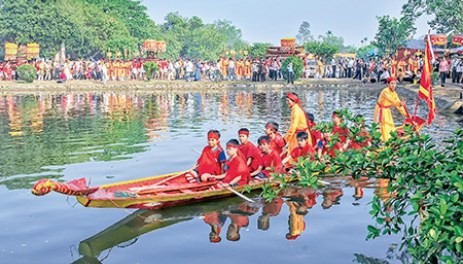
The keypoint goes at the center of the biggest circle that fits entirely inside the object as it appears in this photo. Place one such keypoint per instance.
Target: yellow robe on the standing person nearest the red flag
(383, 114)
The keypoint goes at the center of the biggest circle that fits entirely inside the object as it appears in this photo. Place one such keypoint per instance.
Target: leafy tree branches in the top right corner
(448, 14)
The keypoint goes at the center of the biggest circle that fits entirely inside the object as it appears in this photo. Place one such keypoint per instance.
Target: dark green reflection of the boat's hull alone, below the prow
(142, 222)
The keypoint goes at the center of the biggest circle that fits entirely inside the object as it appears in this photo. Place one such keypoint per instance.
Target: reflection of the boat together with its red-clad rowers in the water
(225, 218)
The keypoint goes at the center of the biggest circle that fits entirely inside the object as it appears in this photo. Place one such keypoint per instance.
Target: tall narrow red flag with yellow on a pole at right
(425, 92)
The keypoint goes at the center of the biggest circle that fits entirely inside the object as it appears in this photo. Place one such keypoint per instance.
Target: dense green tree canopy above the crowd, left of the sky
(93, 27)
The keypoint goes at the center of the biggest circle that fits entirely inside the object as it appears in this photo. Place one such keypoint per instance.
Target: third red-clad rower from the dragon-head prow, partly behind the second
(250, 152)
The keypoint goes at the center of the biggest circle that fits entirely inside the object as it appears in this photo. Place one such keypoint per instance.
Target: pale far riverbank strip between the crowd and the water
(448, 99)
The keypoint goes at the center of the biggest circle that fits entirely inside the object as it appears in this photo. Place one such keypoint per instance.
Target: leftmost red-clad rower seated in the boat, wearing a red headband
(211, 160)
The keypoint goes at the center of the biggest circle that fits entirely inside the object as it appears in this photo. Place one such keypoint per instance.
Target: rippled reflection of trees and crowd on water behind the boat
(41, 134)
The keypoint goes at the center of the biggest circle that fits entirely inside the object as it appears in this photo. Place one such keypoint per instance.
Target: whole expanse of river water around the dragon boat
(108, 137)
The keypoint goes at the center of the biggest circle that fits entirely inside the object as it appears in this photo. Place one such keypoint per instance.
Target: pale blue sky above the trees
(271, 20)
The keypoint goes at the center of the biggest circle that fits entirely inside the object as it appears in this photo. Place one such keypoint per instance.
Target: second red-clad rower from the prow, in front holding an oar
(237, 170)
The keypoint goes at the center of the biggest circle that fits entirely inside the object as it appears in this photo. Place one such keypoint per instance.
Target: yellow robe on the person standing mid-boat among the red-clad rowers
(298, 124)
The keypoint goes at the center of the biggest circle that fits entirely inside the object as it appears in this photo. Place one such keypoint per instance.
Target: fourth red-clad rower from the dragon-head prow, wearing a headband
(271, 161)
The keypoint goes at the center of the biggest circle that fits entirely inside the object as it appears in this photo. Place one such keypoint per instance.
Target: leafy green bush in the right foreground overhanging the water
(424, 198)
